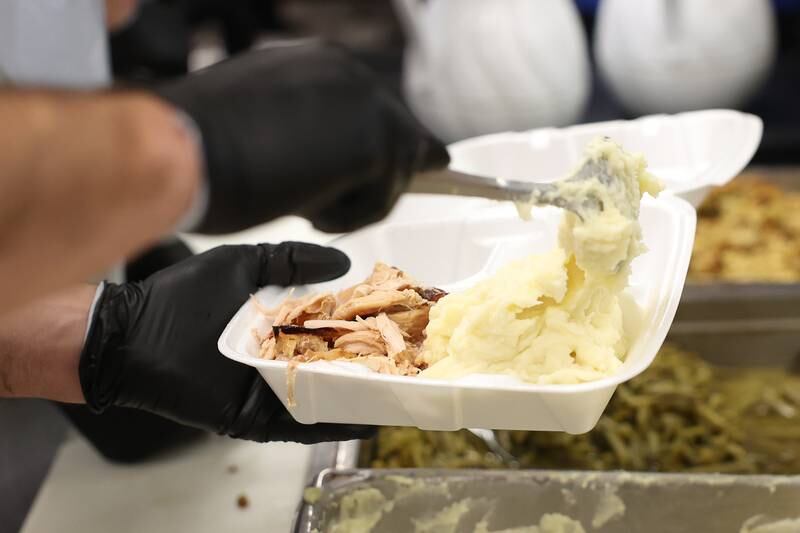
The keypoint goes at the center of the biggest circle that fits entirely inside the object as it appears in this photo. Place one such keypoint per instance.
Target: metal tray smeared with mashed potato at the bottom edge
(607, 502)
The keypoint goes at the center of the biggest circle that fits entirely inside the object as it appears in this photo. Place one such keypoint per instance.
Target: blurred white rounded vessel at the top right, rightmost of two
(680, 55)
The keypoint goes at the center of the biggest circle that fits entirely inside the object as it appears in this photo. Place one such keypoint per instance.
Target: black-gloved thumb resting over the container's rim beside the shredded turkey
(299, 263)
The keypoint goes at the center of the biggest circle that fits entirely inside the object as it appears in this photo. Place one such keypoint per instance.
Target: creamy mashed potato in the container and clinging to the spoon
(553, 317)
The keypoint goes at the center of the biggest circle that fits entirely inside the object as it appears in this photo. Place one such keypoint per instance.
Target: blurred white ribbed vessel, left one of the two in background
(474, 67)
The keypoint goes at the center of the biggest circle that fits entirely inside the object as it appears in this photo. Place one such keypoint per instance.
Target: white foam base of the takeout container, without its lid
(452, 252)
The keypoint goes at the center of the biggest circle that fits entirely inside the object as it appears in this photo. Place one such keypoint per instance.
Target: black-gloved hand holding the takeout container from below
(152, 345)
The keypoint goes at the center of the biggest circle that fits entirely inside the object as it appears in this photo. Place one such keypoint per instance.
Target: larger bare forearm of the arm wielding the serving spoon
(86, 179)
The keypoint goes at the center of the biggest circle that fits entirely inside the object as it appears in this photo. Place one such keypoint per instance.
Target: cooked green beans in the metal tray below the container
(682, 414)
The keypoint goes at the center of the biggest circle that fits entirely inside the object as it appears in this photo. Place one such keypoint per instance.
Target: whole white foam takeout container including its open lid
(453, 242)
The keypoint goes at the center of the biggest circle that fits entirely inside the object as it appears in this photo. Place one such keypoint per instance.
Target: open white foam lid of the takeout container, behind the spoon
(690, 152)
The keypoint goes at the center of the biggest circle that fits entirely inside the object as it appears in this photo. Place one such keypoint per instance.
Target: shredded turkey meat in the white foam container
(379, 323)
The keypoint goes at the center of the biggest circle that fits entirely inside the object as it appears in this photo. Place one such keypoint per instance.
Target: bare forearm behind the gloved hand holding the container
(40, 346)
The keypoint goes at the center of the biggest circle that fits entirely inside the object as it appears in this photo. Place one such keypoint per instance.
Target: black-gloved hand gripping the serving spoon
(305, 129)
